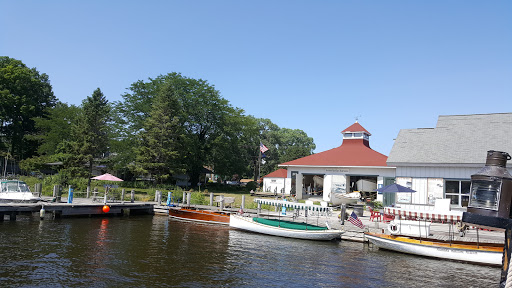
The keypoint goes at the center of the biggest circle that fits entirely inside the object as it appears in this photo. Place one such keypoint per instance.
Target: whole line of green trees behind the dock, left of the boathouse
(166, 126)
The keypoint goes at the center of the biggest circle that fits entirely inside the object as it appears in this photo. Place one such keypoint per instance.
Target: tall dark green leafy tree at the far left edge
(24, 94)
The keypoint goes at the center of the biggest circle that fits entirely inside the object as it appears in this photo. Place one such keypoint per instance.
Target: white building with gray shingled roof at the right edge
(438, 162)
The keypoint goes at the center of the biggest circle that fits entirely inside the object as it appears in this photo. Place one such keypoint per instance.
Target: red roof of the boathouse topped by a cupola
(353, 152)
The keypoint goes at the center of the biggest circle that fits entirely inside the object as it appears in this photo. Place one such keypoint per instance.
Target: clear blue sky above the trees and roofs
(309, 65)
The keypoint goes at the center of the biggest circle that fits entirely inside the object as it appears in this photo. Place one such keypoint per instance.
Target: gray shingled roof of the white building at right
(457, 139)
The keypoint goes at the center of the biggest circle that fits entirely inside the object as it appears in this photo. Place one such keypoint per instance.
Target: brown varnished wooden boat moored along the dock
(205, 216)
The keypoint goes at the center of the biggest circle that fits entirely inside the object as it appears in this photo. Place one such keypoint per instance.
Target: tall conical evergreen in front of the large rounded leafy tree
(160, 153)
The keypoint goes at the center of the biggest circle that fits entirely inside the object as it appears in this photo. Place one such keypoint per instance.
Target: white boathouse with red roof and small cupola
(353, 166)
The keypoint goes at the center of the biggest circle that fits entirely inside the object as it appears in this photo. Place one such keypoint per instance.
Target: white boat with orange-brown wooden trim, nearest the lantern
(481, 253)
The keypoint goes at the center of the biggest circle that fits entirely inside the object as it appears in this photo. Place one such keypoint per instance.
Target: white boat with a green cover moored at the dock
(283, 228)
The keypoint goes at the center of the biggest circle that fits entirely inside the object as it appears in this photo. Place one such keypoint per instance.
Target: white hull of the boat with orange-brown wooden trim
(466, 255)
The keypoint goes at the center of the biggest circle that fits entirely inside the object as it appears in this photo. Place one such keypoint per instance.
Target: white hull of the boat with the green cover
(248, 224)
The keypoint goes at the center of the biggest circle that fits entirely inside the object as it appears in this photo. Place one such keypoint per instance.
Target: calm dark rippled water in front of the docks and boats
(155, 251)
